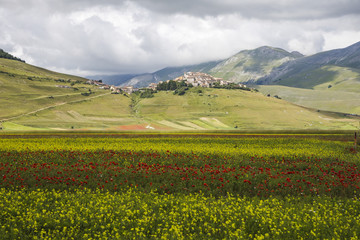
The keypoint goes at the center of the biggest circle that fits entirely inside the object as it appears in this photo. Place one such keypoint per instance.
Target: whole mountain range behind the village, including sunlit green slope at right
(328, 80)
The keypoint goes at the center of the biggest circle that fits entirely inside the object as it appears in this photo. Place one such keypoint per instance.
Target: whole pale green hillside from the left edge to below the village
(36, 99)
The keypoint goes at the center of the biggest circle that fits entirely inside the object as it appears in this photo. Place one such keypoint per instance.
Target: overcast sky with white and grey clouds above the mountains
(87, 37)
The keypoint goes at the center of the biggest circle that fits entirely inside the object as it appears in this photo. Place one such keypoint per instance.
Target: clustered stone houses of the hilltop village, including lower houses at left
(194, 79)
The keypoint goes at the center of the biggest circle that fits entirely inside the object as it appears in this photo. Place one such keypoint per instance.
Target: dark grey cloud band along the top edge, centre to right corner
(262, 9)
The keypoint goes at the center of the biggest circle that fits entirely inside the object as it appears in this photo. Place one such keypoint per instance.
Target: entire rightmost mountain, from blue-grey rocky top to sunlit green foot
(328, 80)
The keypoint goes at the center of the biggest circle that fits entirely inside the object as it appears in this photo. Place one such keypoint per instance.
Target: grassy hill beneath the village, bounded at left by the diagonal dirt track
(211, 109)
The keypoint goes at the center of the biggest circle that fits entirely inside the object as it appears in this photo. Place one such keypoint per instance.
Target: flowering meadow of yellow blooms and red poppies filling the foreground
(179, 186)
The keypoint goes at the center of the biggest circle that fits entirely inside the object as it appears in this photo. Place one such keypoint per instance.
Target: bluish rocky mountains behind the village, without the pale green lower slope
(262, 66)
